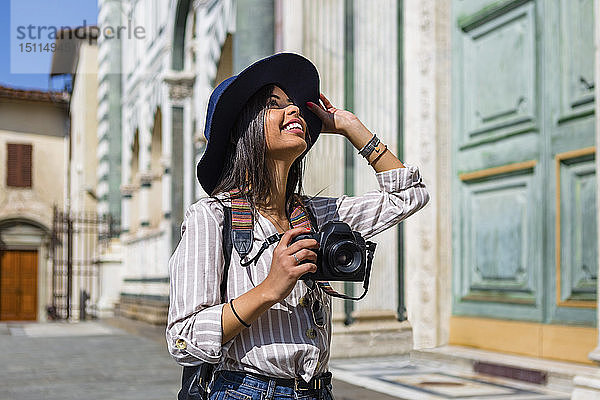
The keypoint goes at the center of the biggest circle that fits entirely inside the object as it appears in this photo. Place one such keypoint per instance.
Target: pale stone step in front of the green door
(558, 374)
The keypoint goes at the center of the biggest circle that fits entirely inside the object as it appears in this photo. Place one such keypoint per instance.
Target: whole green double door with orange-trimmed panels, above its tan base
(524, 186)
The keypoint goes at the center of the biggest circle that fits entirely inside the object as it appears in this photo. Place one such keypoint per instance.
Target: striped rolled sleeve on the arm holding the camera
(194, 330)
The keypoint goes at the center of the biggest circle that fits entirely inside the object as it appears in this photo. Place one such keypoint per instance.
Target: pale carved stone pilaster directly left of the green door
(427, 135)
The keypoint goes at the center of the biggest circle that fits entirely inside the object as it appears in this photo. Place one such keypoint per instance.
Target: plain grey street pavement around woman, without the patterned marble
(116, 359)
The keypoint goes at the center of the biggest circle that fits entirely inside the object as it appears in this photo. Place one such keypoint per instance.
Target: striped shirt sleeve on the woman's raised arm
(401, 193)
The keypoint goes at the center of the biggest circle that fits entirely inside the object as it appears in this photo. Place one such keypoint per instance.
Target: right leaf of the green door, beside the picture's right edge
(571, 176)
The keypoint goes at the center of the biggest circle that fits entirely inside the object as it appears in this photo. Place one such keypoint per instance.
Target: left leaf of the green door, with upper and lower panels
(497, 221)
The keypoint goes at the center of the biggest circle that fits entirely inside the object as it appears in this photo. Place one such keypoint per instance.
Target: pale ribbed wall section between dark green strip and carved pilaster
(376, 104)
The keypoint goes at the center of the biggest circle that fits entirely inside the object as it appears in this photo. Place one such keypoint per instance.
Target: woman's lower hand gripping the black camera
(285, 270)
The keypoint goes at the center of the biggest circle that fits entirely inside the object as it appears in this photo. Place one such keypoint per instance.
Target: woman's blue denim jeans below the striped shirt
(230, 385)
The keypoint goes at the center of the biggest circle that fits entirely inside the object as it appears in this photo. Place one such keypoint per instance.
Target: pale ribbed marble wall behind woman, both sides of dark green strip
(376, 104)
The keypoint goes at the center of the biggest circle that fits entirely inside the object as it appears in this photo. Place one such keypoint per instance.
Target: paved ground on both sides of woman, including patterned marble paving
(122, 359)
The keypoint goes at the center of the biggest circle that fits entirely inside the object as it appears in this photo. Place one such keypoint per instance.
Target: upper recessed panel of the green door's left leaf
(498, 58)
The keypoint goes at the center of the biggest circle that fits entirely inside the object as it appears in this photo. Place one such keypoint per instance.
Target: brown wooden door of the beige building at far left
(18, 285)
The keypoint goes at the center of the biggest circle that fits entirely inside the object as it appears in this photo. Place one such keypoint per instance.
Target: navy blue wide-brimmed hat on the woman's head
(293, 73)
